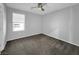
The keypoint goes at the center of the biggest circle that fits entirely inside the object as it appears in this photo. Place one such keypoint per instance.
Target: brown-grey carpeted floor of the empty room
(39, 45)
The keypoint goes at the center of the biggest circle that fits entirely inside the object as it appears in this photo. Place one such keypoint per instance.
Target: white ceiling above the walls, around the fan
(50, 7)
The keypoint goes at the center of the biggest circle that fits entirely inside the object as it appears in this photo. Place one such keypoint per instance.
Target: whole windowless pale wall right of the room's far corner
(63, 24)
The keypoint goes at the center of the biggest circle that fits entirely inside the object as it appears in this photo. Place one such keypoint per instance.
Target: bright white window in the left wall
(18, 22)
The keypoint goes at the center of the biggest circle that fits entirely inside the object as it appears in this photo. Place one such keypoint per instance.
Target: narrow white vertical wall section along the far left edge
(2, 27)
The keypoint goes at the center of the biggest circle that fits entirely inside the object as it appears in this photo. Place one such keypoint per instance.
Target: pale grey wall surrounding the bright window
(32, 24)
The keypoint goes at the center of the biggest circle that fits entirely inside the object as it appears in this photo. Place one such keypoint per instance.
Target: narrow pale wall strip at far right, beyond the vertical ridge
(75, 26)
